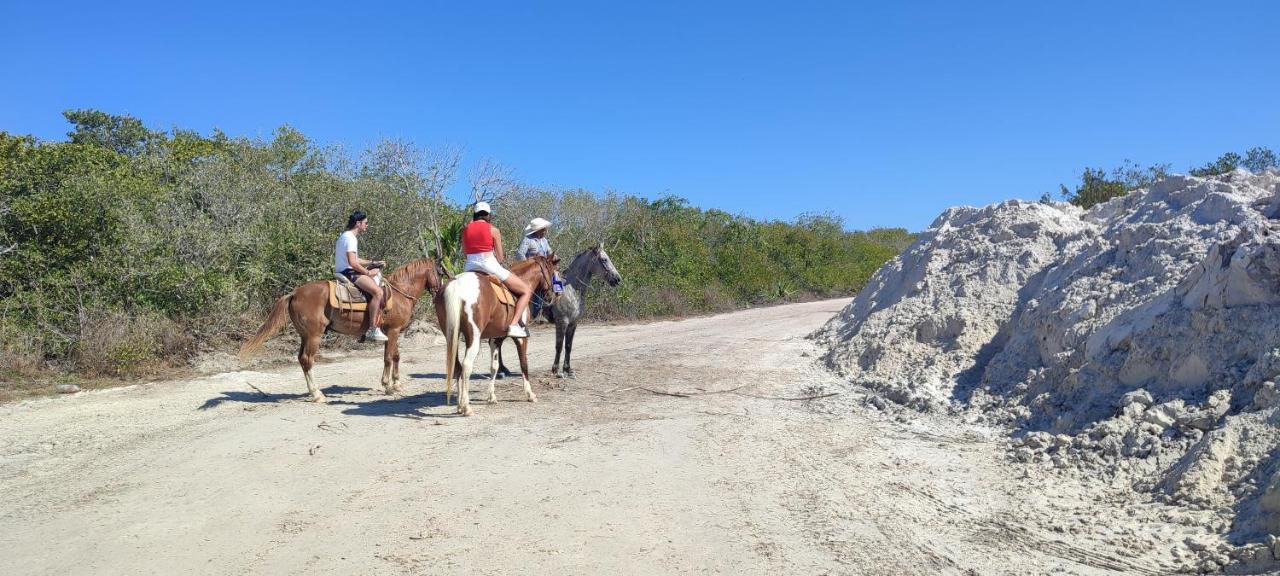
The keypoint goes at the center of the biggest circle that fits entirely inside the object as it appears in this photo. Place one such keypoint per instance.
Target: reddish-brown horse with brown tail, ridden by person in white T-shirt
(309, 309)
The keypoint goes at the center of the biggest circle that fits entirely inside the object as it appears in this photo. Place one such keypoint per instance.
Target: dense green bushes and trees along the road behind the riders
(125, 250)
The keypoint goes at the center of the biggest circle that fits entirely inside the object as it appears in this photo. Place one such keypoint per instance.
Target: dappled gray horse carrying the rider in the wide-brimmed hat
(566, 310)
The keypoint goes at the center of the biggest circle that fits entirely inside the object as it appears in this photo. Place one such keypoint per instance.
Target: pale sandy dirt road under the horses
(601, 477)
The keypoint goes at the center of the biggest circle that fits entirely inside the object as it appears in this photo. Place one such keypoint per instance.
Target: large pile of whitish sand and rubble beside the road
(1141, 337)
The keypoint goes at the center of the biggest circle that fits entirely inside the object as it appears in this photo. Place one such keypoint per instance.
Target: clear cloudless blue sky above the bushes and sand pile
(883, 113)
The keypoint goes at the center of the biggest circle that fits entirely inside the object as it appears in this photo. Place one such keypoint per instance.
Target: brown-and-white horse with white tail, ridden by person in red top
(469, 308)
